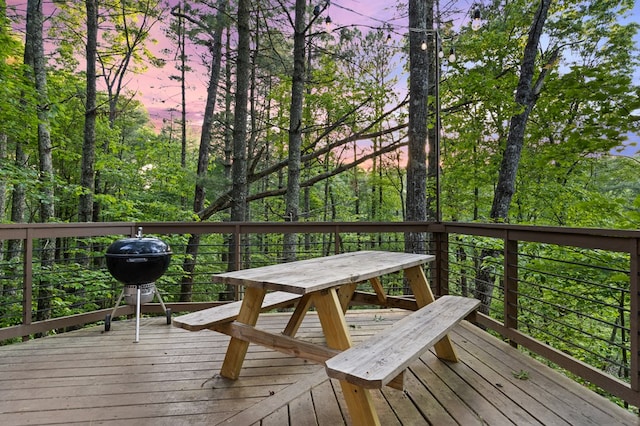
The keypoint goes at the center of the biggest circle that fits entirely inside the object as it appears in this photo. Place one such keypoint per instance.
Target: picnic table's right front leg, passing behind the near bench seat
(336, 331)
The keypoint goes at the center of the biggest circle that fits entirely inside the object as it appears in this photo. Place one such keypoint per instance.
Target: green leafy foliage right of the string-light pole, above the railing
(581, 116)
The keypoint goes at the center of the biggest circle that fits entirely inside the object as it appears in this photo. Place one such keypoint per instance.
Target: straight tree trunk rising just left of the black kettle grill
(87, 178)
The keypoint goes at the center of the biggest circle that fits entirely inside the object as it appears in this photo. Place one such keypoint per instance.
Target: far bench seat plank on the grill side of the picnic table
(207, 318)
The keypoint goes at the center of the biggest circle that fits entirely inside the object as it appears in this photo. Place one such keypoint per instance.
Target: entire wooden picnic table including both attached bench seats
(329, 284)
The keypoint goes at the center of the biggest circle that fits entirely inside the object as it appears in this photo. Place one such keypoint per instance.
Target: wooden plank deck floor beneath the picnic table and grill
(170, 378)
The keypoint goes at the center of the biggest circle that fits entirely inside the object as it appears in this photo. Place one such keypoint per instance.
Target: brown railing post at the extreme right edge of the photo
(634, 312)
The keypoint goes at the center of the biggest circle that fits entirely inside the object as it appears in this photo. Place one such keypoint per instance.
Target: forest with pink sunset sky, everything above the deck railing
(352, 117)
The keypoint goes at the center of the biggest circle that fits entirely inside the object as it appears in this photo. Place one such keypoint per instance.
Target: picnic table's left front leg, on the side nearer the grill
(237, 349)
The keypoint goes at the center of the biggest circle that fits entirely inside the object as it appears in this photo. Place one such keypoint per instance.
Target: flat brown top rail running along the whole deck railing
(608, 239)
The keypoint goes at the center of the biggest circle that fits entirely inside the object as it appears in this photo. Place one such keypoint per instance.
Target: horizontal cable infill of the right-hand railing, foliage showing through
(575, 305)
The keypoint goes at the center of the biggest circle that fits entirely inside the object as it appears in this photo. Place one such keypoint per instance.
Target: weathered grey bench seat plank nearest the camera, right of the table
(375, 362)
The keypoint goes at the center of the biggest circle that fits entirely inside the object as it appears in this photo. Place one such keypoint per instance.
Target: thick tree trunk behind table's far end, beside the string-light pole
(419, 13)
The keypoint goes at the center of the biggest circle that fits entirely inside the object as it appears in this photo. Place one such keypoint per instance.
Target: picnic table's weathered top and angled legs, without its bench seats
(328, 283)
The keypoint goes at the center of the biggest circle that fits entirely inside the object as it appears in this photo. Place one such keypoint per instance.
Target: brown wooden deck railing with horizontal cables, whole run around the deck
(538, 284)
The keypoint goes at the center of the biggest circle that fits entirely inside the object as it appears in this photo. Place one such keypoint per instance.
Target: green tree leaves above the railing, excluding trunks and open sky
(566, 176)
